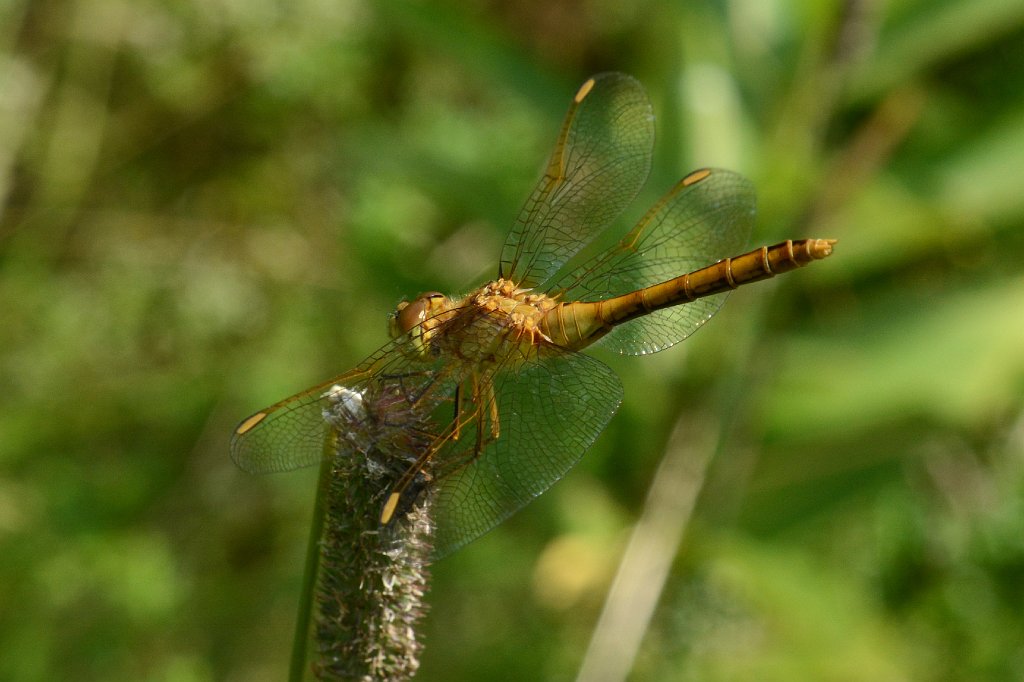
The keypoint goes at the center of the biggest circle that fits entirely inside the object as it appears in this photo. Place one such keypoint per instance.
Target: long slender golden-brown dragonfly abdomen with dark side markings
(577, 325)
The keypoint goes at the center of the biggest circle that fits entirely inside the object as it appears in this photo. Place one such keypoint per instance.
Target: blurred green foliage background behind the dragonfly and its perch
(208, 205)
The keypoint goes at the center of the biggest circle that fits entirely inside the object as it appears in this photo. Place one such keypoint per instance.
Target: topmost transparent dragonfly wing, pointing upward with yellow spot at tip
(601, 162)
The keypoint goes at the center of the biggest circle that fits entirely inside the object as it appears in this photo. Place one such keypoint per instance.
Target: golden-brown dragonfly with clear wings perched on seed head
(481, 403)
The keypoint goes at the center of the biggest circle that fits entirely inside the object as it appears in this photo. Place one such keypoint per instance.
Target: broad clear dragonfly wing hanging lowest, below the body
(551, 411)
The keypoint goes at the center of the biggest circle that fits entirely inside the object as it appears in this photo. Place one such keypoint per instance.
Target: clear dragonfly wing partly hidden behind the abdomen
(708, 217)
